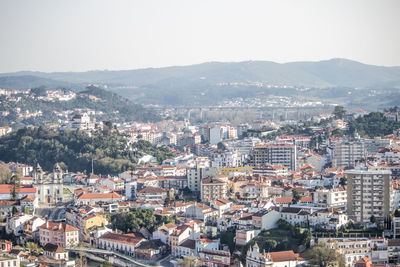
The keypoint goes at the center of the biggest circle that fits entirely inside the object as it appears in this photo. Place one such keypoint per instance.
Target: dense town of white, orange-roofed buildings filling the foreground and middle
(231, 195)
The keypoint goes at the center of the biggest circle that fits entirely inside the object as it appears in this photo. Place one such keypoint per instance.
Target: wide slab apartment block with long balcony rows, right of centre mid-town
(275, 154)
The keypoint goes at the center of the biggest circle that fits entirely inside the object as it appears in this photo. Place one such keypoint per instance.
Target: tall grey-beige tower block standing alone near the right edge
(369, 192)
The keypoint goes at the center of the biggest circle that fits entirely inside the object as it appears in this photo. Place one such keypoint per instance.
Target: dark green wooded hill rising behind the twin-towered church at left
(75, 150)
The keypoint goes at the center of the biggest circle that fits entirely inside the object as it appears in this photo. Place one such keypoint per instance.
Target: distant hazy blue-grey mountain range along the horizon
(160, 85)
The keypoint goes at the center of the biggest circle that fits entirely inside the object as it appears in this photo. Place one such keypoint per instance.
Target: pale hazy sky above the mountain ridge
(82, 35)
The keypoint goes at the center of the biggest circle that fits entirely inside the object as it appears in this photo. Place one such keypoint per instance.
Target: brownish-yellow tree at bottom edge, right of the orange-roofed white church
(323, 256)
